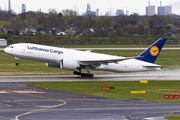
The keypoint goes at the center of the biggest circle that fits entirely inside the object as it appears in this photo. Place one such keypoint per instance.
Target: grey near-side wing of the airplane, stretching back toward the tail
(98, 62)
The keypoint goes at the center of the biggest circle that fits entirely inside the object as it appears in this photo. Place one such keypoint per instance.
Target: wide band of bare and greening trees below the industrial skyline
(114, 28)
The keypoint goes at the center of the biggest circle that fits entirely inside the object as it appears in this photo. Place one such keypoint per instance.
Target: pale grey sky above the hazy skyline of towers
(134, 6)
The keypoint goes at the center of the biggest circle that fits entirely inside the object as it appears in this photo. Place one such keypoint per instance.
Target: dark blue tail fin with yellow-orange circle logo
(151, 54)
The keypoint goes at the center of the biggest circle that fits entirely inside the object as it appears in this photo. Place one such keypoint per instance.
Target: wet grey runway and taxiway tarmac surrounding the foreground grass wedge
(16, 103)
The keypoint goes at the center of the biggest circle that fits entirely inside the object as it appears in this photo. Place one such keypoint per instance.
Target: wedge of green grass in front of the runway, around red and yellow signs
(154, 89)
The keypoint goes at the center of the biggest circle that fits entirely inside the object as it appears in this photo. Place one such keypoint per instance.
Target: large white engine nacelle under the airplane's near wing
(69, 64)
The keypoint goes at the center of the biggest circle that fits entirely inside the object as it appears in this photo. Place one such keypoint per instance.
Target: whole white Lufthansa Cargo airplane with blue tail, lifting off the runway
(73, 59)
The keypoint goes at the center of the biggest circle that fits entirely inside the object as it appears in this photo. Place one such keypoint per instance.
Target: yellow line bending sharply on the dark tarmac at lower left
(41, 110)
